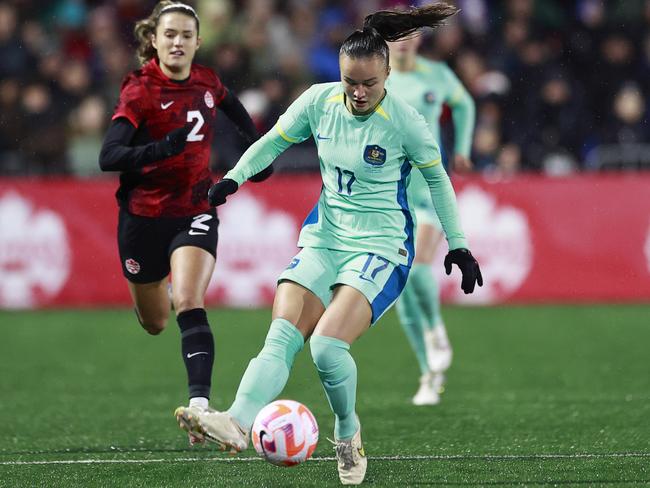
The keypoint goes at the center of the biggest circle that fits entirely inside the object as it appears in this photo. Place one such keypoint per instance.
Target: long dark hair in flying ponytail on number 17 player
(393, 25)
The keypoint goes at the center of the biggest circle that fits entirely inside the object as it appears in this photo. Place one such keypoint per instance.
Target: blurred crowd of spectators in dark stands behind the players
(560, 86)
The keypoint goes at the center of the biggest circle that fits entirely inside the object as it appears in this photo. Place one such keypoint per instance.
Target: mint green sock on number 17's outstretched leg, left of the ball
(267, 373)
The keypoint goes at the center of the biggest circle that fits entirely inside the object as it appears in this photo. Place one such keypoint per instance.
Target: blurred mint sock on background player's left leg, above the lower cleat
(412, 320)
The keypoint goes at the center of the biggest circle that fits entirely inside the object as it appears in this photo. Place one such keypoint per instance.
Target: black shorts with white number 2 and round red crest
(146, 243)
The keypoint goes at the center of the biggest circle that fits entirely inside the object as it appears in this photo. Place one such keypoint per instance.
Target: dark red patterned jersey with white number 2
(155, 104)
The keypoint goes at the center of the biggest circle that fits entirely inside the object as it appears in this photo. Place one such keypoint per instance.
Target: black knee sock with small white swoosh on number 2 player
(197, 346)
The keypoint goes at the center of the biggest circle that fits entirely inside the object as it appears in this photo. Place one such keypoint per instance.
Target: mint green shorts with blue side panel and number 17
(321, 270)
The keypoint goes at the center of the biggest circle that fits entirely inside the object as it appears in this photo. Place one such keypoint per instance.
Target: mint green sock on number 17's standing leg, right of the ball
(338, 374)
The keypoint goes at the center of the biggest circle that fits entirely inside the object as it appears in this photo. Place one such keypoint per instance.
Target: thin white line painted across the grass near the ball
(456, 457)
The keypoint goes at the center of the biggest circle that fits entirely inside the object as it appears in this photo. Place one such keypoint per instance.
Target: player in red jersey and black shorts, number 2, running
(160, 139)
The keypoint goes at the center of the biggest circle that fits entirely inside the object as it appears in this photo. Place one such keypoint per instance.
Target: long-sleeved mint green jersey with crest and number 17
(365, 163)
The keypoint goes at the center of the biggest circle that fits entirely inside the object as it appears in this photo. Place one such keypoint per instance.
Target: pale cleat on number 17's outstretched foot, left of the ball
(213, 426)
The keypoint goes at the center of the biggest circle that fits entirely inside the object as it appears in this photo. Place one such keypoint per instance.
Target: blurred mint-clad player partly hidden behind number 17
(426, 85)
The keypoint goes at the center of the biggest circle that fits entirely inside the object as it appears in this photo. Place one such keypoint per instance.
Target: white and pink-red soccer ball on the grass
(285, 433)
